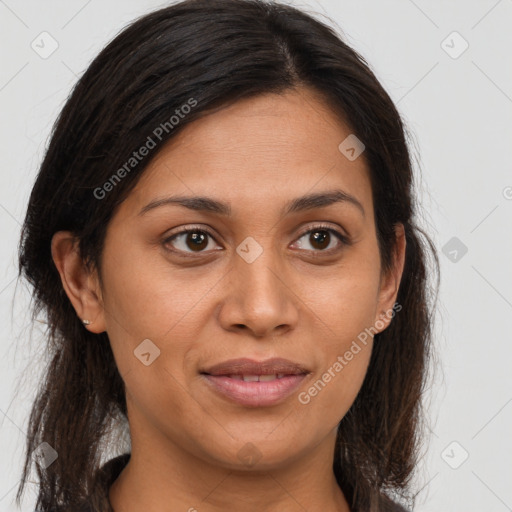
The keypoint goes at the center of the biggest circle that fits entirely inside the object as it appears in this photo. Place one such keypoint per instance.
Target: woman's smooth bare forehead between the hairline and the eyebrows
(270, 147)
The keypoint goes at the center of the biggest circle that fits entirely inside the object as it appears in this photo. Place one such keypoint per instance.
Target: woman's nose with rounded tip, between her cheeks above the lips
(258, 297)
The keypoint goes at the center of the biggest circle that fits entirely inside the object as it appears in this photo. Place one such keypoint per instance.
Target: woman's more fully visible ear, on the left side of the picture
(80, 284)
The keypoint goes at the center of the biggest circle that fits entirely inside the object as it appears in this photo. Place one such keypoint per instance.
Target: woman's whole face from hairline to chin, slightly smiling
(262, 273)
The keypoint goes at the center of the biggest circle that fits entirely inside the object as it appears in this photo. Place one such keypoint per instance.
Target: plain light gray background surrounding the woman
(458, 106)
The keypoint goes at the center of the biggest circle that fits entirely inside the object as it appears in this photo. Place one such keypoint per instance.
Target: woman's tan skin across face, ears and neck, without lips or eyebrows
(295, 301)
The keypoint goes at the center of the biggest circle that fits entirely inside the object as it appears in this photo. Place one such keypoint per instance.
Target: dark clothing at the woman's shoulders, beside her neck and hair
(98, 501)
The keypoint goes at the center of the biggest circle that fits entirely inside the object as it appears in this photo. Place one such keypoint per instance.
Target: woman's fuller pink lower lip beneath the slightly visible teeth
(255, 394)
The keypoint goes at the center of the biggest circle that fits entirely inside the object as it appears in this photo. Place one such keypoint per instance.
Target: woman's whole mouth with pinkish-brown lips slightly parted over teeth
(255, 383)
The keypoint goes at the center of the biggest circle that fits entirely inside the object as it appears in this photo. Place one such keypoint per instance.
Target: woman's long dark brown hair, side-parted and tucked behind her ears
(217, 52)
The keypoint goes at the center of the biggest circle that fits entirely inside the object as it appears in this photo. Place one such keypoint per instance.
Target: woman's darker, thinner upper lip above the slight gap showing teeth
(245, 366)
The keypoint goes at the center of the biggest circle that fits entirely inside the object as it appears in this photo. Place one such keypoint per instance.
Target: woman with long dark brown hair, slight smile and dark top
(222, 238)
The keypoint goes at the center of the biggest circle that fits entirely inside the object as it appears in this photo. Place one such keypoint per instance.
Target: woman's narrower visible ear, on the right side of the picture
(390, 282)
